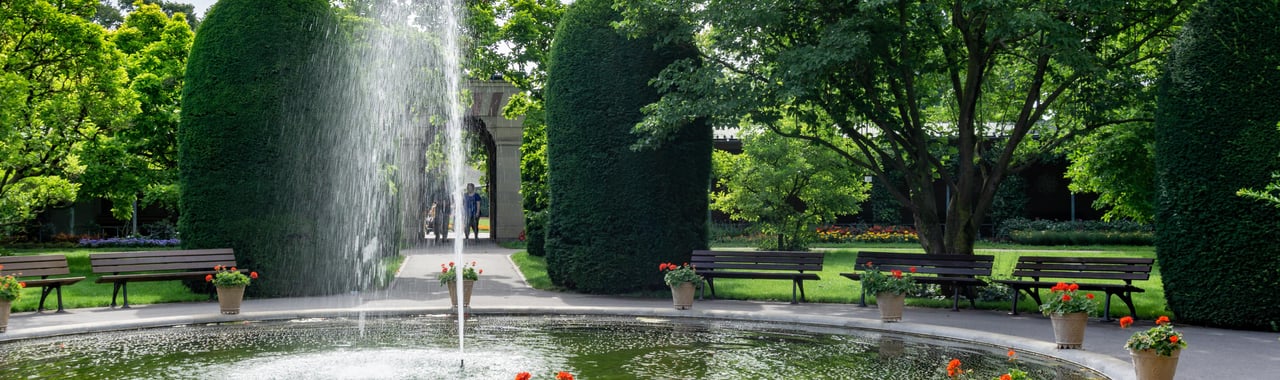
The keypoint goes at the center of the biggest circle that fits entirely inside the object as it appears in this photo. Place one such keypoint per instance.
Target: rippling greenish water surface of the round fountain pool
(500, 347)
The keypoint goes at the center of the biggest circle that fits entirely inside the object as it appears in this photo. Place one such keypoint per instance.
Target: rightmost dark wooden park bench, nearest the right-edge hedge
(1118, 273)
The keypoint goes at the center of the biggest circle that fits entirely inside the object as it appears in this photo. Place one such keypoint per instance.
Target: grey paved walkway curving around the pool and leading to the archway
(1214, 354)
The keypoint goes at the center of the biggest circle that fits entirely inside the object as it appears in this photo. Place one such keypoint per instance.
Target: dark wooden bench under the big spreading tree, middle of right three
(956, 271)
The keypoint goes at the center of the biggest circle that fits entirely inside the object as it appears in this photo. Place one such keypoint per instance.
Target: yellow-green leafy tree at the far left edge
(62, 84)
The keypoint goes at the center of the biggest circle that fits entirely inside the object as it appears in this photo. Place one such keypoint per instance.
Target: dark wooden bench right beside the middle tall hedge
(769, 265)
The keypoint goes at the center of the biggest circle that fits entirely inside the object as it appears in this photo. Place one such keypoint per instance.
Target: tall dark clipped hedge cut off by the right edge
(1217, 120)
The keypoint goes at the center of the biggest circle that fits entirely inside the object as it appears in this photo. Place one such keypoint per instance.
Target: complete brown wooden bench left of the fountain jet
(124, 268)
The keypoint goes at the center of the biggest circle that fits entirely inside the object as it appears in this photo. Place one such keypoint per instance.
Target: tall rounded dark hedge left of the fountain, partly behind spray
(239, 150)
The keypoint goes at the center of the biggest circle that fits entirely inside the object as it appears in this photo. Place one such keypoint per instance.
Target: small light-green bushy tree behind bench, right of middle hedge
(787, 187)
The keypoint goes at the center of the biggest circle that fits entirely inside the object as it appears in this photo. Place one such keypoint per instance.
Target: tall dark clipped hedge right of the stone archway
(616, 213)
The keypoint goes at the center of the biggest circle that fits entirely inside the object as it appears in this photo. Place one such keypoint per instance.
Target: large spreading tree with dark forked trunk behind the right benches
(958, 94)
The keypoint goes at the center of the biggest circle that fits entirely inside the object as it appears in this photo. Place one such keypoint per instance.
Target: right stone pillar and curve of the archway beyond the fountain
(508, 216)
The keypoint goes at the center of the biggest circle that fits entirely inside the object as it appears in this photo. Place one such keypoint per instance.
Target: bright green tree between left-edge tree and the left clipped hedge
(141, 159)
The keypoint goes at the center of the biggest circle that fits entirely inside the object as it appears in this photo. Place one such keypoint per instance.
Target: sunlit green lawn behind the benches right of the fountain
(836, 290)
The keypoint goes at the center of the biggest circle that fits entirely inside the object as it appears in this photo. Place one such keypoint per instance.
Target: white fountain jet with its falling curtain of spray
(381, 139)
